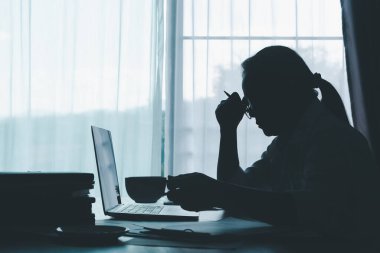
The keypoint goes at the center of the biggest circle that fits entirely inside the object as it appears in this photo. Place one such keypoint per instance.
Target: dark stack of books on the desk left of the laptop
(42, 199)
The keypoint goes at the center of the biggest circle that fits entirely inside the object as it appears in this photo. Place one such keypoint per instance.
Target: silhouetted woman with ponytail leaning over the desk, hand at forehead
(317, 173)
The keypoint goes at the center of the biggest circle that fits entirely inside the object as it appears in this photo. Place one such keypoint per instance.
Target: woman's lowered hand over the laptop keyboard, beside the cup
(194, 191)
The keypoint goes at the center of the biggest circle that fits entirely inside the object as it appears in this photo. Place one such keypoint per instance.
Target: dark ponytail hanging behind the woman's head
(330, 97)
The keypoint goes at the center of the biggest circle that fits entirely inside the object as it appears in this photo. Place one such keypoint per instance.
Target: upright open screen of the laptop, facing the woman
(105, 160)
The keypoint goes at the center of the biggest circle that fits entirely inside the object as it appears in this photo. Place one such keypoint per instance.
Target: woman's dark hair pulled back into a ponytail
(284, 68)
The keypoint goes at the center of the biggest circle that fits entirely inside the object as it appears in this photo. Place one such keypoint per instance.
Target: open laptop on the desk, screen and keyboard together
(110, 191)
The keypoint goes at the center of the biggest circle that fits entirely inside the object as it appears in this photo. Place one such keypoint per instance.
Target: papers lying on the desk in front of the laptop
(228, 233)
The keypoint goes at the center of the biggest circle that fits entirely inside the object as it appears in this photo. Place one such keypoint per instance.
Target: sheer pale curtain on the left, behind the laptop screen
(66, 65)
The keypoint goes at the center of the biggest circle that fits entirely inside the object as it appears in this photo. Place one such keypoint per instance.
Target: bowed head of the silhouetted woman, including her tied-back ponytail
(279, 85)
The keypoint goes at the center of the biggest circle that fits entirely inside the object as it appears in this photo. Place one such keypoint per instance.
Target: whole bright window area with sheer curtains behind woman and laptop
(66, 65)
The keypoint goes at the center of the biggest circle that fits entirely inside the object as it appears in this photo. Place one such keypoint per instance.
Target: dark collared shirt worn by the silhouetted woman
(328, 168)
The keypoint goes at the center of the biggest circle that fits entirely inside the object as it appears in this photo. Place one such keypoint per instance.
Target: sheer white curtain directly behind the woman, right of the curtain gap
(211, 39)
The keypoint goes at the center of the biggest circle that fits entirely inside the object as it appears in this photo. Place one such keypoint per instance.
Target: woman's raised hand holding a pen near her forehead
(230, 112)
